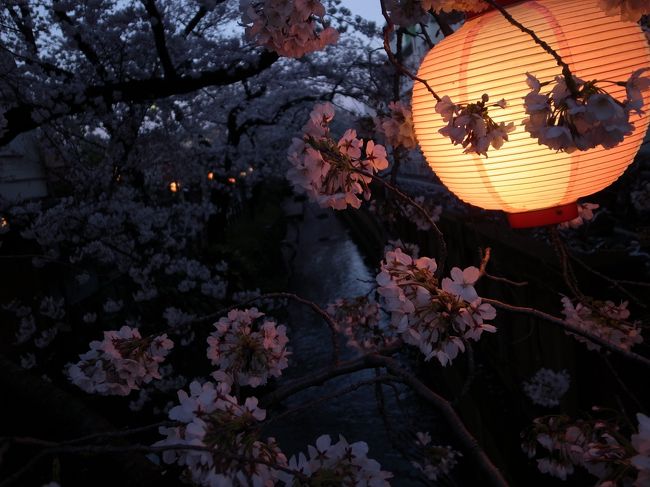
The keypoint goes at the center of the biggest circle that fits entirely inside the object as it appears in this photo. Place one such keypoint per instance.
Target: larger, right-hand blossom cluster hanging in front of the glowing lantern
(584, 117)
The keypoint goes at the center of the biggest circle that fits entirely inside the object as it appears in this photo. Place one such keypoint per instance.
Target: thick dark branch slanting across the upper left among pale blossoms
(20, 118)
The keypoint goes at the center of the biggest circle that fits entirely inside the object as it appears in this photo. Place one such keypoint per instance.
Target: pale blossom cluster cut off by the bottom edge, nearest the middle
(339, 463)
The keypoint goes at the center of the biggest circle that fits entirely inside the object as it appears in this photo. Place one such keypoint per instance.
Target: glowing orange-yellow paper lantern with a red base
(535, 185)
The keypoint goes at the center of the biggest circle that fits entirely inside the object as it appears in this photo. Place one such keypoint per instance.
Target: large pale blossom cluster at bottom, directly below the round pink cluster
(210, 417)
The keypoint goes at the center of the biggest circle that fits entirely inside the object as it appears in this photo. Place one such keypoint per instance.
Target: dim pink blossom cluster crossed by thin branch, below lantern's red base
(605, 320)
